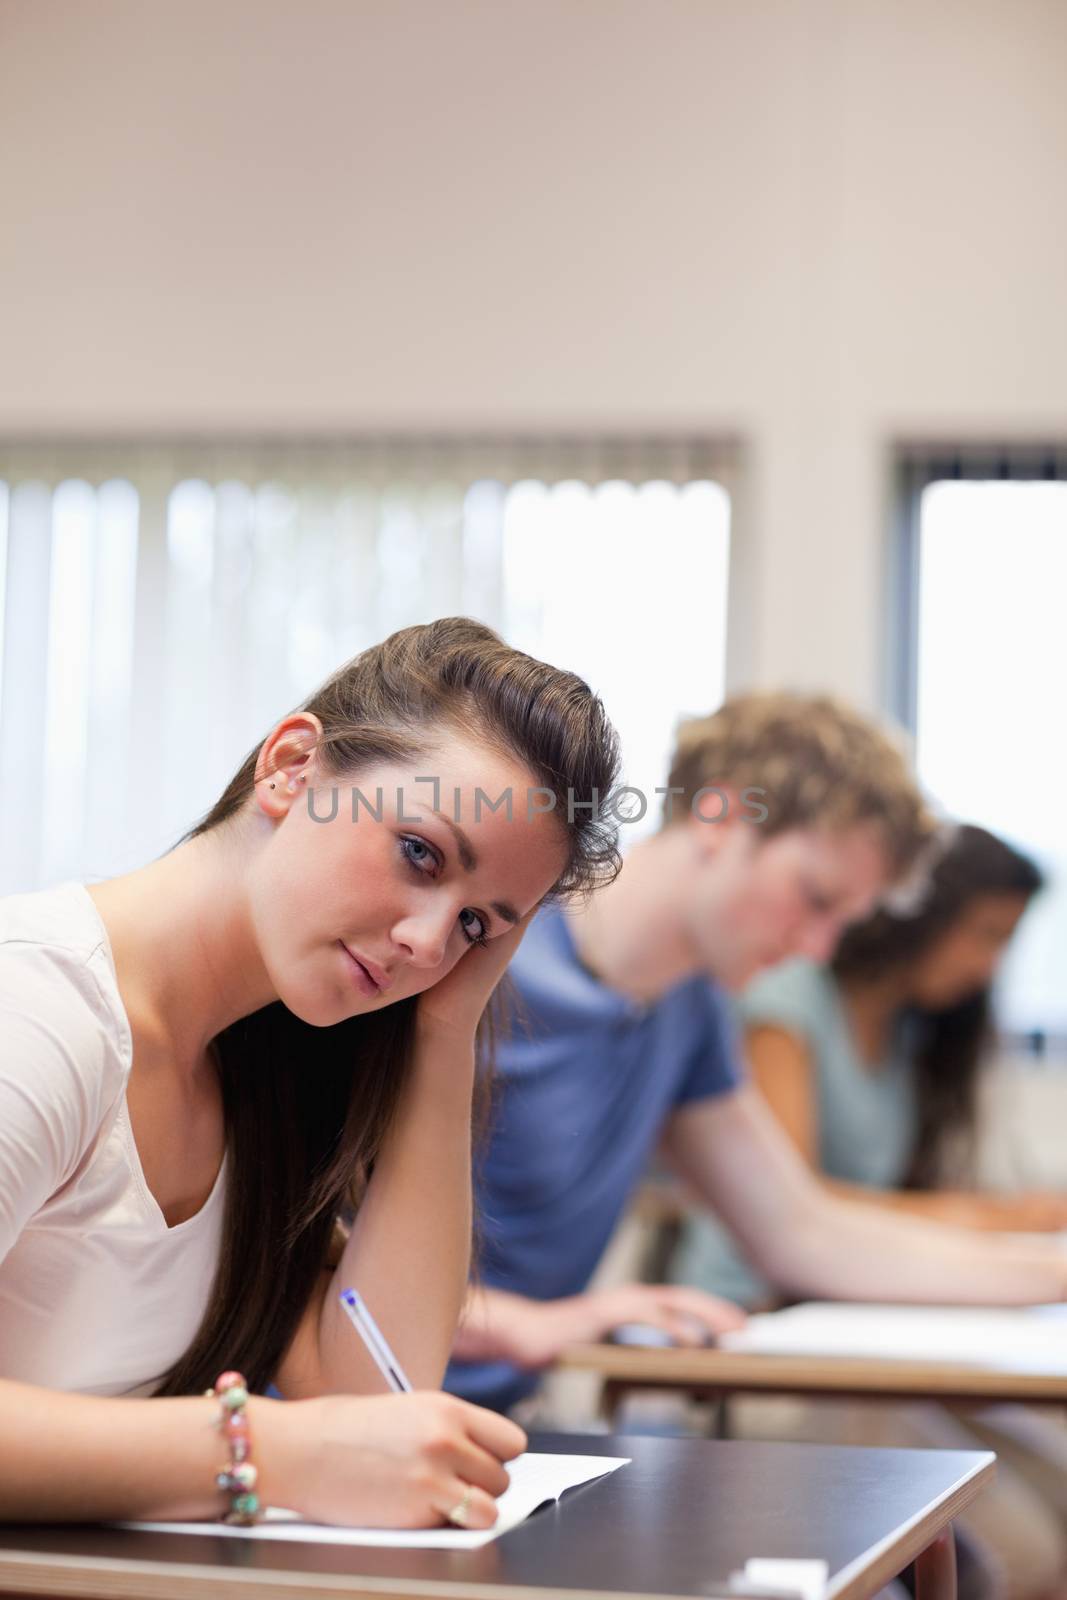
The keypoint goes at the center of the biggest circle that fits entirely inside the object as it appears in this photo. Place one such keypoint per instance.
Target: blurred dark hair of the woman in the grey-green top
(949, 1044)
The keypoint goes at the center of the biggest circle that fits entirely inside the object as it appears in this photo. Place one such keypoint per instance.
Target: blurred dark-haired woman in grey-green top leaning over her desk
(871, 1063)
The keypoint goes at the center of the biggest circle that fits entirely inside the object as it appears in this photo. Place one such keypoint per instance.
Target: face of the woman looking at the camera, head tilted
(359, 911)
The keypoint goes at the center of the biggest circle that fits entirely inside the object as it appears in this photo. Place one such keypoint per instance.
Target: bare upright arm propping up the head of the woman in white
(409, 1252)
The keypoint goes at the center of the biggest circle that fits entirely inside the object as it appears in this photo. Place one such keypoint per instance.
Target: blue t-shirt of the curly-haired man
(586, 1081)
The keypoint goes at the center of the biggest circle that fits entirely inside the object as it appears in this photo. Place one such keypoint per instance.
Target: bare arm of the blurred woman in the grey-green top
(785, 1073)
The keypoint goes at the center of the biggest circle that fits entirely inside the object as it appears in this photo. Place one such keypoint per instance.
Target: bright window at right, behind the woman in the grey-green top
(988, 572)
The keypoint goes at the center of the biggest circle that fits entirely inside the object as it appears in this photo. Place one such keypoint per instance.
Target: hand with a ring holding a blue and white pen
(385, 1462)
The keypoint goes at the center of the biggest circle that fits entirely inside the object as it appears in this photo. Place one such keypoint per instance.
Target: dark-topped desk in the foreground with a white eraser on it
(674, 1524)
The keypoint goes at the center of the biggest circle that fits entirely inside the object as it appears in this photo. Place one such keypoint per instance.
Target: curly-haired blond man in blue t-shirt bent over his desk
(788, 818)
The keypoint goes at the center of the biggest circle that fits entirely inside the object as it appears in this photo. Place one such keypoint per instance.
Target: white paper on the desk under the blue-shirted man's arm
(1013, 1338)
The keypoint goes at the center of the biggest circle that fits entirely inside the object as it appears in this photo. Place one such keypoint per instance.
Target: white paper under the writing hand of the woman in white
(535, 1481)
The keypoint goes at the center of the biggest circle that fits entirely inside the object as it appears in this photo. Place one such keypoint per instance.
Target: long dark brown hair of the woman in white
(308, 1108)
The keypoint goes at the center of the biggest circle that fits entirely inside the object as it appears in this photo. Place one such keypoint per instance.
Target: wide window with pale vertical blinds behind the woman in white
(159, 610)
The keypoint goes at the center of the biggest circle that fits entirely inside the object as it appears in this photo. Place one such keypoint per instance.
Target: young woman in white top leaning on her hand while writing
(209, 1062)
